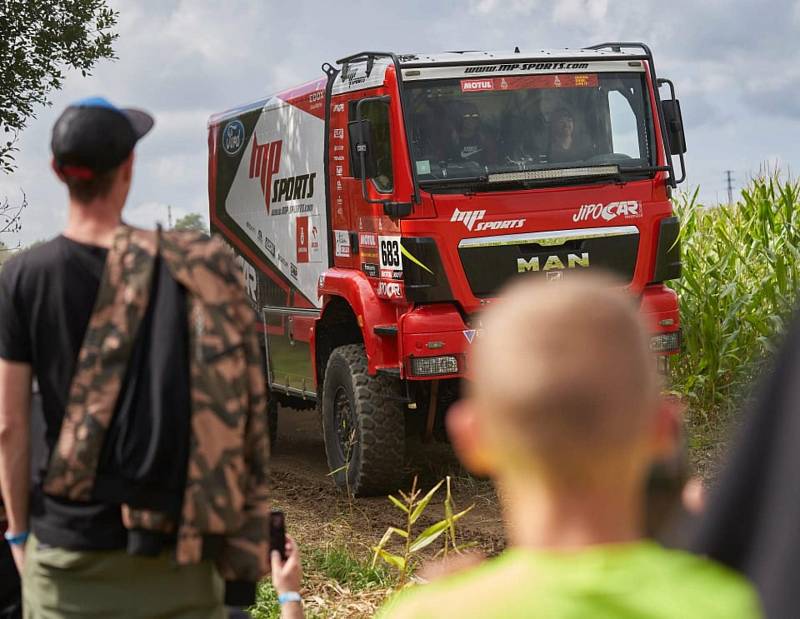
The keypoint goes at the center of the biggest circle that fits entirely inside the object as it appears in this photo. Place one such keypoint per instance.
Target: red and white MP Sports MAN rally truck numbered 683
(377, 209)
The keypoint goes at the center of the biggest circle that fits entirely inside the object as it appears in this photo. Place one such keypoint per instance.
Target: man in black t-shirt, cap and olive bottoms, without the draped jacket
(47, 295)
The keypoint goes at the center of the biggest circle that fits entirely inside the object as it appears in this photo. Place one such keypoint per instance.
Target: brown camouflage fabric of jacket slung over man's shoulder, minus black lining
(226, 485)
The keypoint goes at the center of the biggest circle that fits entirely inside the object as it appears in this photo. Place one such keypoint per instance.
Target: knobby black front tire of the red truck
(362, 424)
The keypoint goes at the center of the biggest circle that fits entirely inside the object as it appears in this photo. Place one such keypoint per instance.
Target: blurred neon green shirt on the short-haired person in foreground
(622, 581)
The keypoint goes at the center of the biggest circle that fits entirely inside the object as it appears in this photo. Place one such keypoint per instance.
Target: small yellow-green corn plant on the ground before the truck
(413, 505)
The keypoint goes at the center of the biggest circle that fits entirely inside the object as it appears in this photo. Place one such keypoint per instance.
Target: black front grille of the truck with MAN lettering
(489, 262)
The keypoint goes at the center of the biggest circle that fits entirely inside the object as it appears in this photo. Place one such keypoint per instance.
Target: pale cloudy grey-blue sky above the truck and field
(734, 63)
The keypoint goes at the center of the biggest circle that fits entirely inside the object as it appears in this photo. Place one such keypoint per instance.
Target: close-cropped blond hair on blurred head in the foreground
(563, 374)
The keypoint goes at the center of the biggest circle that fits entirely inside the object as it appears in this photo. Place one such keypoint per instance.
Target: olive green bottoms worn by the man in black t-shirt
(67, 583)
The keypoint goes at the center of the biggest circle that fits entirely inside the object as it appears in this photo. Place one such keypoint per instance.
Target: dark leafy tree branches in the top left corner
(40, 41)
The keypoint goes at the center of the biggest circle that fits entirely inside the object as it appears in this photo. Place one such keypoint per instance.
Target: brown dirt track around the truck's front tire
(317, 513)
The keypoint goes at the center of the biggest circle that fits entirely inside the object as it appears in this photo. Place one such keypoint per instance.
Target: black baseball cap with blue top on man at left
(93, 136)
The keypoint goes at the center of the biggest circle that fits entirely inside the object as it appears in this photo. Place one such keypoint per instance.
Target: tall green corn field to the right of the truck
(741, 275)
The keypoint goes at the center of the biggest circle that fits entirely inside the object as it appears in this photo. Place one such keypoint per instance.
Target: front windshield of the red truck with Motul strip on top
(467, 128)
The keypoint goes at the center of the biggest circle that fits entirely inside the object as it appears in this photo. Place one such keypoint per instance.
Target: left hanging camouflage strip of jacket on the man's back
(122, 300)
